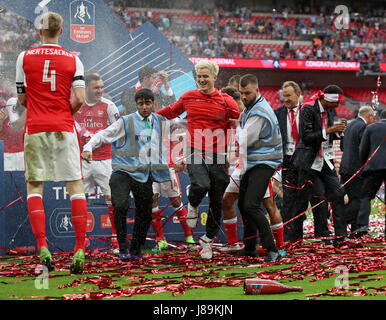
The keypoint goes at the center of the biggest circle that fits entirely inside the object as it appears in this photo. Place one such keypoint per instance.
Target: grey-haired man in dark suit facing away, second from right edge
(350, 164)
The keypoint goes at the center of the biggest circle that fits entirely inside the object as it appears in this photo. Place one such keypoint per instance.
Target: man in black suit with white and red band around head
(314, 155)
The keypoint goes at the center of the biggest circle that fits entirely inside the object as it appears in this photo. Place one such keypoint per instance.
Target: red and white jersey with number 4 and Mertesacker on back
(46, 74)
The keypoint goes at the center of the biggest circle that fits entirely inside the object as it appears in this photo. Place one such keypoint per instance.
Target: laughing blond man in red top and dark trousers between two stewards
(208, 114)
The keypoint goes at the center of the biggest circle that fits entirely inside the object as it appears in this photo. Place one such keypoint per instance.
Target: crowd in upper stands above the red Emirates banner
(221, 33)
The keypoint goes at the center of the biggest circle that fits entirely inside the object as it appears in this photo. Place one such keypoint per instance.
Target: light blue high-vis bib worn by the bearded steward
(268, 149)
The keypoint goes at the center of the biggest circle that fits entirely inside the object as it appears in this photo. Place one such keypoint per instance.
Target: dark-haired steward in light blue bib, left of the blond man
(139, 157)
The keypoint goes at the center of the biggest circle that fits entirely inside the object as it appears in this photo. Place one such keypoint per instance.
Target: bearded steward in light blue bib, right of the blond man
(261, 151)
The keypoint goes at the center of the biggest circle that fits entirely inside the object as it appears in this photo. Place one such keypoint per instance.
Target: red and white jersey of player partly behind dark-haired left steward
(93, 118)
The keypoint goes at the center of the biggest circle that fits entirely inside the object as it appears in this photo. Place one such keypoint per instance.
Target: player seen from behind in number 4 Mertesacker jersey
(44, 78)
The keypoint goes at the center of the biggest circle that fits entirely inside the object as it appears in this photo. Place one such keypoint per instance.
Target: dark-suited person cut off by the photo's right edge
(374, 173)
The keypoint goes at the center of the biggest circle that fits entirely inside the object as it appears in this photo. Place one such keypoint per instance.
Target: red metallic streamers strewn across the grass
(162, 272)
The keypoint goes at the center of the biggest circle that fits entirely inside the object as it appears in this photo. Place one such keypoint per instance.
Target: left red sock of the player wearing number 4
(37, 218)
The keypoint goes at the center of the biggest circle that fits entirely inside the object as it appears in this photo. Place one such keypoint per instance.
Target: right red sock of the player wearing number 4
(79, 220)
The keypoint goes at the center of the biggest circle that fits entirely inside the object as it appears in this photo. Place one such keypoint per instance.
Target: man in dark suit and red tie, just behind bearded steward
(288, 117)
